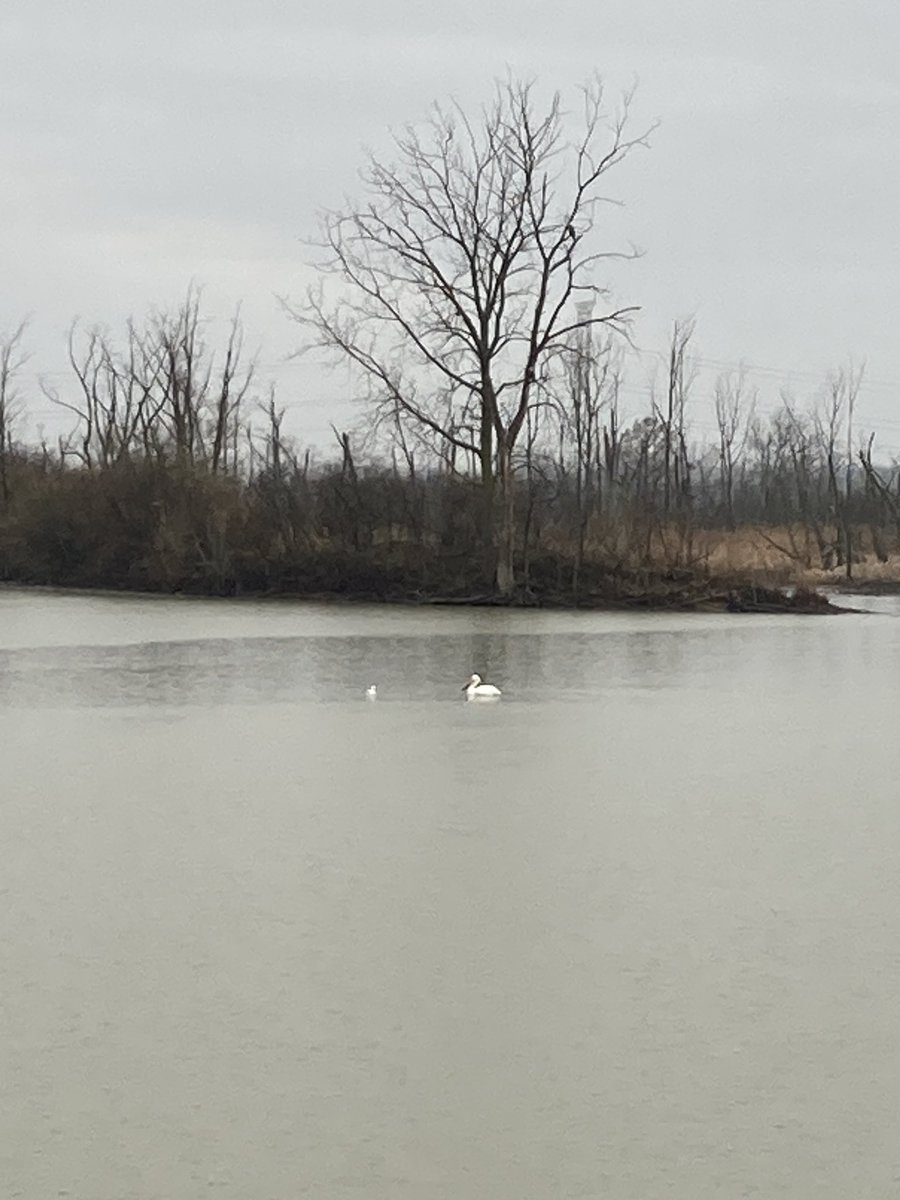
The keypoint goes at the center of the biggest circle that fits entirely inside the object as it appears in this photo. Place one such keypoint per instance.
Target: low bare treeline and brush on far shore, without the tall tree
(177, 476)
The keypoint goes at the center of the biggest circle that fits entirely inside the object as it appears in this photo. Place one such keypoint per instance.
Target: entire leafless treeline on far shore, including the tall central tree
(497, 457)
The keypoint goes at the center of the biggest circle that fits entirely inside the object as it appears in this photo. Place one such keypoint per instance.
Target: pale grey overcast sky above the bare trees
(148, 145)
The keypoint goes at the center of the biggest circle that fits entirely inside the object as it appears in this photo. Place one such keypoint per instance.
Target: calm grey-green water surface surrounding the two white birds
(632, 933)
